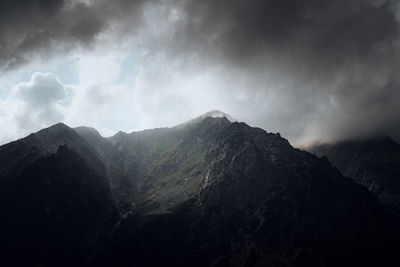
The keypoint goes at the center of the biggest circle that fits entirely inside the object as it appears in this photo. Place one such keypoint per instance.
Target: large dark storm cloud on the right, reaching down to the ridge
(341, 58)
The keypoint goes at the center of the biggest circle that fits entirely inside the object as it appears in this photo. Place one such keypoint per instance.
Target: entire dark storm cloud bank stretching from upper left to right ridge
(317, 69)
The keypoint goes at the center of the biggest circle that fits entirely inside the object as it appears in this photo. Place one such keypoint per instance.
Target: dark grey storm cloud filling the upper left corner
(44, 27)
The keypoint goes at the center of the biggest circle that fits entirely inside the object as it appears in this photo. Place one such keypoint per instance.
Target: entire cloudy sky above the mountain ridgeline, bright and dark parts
(314, 71)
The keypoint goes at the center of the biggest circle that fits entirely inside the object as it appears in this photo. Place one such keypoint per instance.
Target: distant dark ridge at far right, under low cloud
(374, 163)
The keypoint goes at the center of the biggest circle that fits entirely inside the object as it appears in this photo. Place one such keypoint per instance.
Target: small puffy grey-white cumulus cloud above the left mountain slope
(32, 105)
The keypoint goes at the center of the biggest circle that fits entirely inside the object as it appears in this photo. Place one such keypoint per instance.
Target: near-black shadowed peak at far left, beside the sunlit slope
(55, 203)
